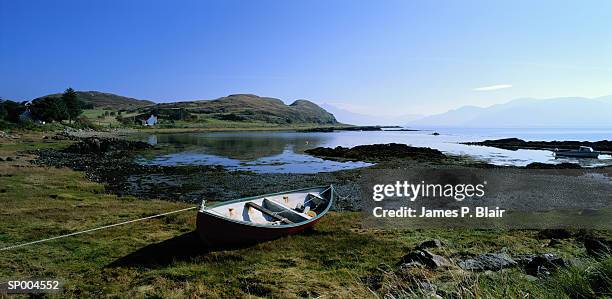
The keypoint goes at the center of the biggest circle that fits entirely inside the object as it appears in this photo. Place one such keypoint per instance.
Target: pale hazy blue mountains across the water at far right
(555, 112)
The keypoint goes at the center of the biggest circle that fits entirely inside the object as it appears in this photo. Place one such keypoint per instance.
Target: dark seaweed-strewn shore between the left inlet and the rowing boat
(112, 161)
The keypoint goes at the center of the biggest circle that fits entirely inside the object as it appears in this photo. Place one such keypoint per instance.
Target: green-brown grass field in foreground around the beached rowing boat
(163, 258)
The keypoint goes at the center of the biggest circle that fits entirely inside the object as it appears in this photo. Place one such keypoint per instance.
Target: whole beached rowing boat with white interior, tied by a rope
(263, 218)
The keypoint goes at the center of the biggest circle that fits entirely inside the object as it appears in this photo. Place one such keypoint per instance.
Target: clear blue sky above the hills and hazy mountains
(379, 57)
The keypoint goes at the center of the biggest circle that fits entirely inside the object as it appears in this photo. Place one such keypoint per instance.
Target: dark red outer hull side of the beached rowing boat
(217, 231)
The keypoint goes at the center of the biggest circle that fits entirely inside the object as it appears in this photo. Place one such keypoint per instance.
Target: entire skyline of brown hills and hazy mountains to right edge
(564, 112)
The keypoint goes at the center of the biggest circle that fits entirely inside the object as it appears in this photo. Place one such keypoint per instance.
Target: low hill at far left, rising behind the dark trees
(98, 99)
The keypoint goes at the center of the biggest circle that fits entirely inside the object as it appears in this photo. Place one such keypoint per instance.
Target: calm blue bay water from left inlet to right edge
(284, 151)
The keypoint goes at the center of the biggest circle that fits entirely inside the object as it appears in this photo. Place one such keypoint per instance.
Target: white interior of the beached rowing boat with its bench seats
(281, 209)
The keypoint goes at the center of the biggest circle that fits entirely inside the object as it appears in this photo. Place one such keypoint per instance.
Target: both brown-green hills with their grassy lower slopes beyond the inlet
(236, 111)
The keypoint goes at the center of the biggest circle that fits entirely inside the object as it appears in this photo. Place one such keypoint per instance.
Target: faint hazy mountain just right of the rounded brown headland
(348, 117)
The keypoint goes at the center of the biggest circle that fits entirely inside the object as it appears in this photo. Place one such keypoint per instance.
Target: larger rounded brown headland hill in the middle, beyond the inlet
(248, 107)
